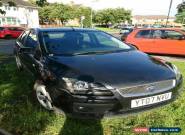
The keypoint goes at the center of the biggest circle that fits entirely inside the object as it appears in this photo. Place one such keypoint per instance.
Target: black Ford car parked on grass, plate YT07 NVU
(89, 73)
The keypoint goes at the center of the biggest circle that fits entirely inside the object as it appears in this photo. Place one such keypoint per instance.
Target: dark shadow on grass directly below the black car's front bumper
(81, 127)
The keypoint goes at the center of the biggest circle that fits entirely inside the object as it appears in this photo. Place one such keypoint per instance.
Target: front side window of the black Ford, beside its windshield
(31, 40)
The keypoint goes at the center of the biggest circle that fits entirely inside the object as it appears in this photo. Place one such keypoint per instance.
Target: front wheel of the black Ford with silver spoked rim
(42, 96)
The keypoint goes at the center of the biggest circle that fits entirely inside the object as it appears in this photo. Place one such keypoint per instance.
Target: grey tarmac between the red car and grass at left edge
(6, 46)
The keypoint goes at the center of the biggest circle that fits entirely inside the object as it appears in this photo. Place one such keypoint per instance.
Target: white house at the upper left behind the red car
(23, 14)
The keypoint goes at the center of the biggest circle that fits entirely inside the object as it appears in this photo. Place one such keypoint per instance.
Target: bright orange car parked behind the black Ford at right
(158, 40)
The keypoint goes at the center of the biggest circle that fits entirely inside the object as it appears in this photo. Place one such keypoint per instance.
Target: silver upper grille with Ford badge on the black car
(147, 89)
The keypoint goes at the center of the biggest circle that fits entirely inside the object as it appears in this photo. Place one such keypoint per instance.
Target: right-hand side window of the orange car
(174, 35)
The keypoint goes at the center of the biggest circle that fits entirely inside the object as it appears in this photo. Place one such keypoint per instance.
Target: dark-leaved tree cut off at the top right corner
(180, 16)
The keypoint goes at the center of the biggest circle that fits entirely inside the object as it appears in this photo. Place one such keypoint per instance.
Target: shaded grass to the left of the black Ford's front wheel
(19, 112)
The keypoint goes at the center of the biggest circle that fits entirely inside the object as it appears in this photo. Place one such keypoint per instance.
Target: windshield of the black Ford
(81, 42)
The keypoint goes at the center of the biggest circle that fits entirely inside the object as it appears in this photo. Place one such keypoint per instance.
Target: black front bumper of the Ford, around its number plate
(92, 106)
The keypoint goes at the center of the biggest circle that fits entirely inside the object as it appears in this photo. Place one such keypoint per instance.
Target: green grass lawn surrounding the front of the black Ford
(21, 115)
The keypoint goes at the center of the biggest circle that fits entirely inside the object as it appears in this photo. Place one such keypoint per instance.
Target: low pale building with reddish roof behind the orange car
(152, 19)
